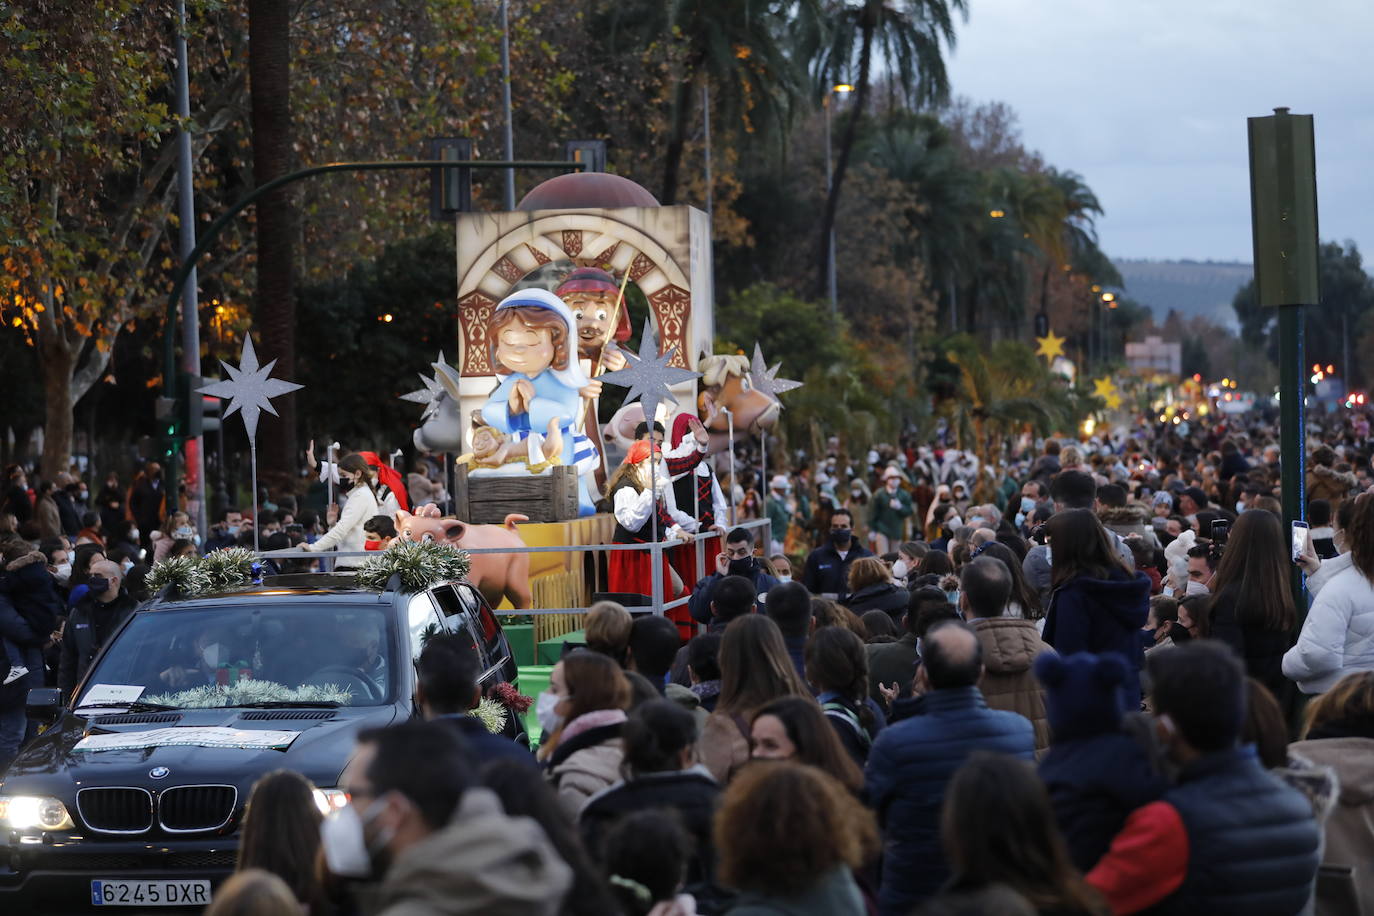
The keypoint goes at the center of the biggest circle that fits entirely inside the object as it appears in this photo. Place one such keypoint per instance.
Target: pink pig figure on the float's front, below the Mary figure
(497, 576)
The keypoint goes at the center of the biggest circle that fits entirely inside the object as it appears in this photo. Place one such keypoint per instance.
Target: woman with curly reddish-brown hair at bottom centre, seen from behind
(789, 838)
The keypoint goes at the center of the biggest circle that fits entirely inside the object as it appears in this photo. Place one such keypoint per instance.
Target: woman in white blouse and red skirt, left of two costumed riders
(646, 510)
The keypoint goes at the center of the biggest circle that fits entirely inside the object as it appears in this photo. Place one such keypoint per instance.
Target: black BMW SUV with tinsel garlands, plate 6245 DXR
(134, 797)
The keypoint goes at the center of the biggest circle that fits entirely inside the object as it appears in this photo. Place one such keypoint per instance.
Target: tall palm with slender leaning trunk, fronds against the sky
(910, 35)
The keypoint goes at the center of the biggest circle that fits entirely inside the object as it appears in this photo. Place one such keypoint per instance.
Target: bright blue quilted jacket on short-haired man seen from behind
(906, 778)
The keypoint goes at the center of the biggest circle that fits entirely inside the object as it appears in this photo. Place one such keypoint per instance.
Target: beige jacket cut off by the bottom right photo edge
(1350, 826)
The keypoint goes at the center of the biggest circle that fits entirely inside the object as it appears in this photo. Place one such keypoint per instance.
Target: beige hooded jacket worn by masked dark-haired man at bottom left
(484, 863)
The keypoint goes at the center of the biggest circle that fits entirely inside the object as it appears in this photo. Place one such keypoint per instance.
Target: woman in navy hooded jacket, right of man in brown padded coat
(1099, 602)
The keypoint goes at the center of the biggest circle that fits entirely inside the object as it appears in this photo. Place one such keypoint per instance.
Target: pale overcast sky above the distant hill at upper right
(1148, 101)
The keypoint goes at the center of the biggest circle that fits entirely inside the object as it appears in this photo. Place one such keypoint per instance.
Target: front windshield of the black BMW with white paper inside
(244, 656)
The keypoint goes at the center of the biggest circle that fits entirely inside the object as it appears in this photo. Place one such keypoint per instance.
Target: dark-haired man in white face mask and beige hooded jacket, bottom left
(431, 838)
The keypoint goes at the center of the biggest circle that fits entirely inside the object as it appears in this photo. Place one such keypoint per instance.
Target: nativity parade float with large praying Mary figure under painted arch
(549, 297)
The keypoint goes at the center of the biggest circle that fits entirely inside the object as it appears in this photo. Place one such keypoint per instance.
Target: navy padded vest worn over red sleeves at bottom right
(1252, 840)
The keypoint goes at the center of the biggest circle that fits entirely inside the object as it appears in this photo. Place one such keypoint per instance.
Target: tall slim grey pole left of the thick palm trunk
(190, 303)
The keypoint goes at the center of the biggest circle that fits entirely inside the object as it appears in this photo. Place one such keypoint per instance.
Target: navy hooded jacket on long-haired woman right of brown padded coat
(1103, 616)
